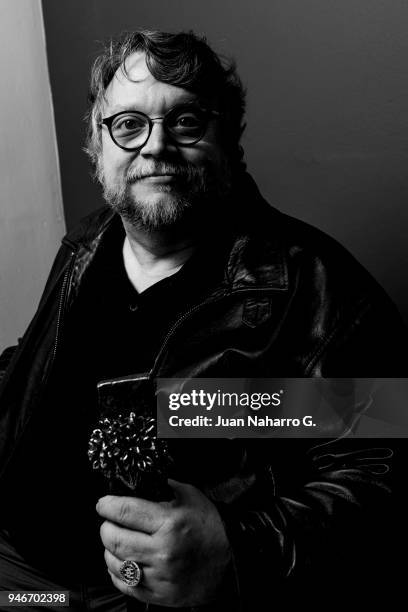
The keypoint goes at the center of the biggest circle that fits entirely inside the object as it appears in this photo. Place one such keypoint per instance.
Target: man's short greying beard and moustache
(195, 192)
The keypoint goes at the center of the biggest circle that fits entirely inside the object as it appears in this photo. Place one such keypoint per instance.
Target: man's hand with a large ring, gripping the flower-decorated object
(181, 546)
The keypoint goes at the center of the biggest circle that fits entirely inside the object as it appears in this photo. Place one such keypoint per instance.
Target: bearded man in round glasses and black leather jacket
(187, 272)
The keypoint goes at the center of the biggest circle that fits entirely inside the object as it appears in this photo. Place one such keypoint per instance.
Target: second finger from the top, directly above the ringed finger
(126, 543)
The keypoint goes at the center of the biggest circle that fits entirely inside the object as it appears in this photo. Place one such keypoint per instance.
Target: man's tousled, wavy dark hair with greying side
(183, 59)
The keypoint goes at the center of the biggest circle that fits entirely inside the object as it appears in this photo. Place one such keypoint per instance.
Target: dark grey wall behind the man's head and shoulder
(327, 136)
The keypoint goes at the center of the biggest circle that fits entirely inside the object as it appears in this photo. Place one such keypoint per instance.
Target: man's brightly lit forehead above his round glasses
(138, 89)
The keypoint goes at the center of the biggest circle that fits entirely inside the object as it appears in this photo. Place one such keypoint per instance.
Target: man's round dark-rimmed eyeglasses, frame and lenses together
(184, 124)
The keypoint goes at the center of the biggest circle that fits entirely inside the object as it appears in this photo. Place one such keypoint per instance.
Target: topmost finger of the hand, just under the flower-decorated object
(132, 512)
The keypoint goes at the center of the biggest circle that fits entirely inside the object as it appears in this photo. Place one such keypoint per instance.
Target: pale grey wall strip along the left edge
(31, 215)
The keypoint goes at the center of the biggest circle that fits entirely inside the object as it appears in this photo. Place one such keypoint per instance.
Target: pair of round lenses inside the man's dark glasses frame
(131, 129)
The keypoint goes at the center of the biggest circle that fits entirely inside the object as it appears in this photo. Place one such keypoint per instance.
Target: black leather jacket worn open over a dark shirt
(291, 302)
